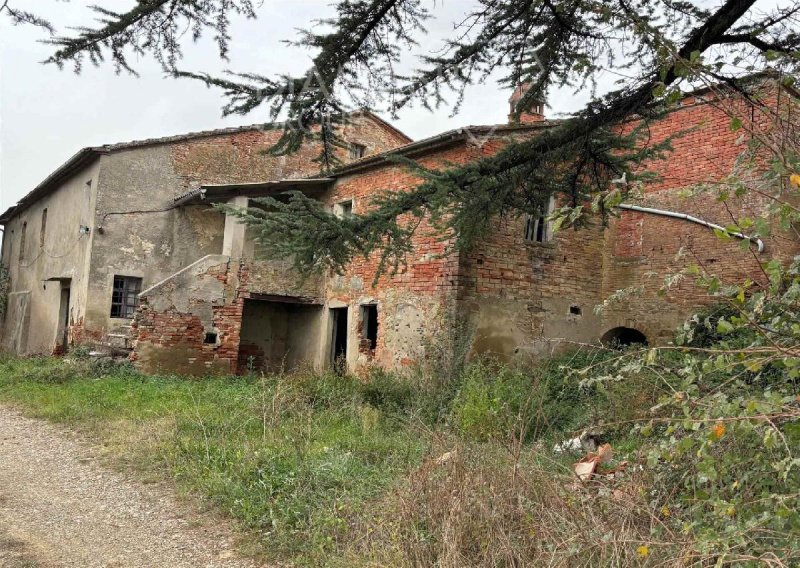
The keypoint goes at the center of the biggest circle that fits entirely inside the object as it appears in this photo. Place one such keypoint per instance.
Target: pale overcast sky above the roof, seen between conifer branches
(46, 115)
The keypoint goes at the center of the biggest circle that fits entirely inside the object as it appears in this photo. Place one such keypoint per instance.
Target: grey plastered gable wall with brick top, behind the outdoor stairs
(152, 244)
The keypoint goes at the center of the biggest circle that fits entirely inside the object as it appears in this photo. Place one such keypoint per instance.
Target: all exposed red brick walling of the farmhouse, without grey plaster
(523, 298)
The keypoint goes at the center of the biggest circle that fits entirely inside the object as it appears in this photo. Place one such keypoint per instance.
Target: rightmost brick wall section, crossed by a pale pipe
(642, 249)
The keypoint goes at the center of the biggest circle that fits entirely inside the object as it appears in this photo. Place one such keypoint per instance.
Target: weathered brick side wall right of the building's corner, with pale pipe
(522, 295)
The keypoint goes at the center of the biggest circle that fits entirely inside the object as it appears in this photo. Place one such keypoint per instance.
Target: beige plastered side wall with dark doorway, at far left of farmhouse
(32, 321)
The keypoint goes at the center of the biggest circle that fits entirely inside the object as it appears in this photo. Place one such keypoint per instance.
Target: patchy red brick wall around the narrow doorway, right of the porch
(415, 303)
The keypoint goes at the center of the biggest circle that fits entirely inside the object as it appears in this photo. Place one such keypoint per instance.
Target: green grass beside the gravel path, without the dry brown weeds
(303, 462)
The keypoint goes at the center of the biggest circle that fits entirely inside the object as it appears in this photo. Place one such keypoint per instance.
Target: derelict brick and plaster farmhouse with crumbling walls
(121, 247)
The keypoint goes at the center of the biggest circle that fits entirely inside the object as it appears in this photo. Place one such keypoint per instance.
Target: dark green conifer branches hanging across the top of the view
(658, 48)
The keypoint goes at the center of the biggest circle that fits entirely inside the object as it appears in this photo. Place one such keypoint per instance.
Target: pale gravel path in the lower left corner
(59, 507)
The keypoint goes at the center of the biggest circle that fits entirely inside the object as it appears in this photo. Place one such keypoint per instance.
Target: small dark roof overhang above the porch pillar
(313, 187)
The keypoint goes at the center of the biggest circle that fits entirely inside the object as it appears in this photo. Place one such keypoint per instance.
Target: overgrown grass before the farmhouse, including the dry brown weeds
(387, 470)
